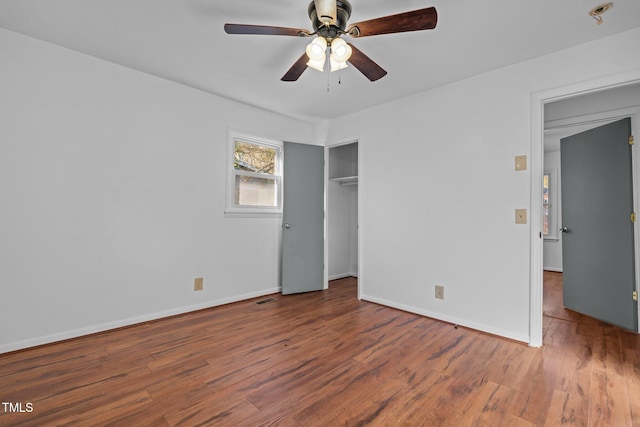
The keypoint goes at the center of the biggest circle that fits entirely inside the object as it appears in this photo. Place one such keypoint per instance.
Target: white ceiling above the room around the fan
(184, 41)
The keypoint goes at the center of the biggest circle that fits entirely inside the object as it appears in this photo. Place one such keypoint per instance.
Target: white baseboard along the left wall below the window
(75, 333)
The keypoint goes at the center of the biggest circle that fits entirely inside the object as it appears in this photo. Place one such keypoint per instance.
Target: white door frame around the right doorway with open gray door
(571, 100)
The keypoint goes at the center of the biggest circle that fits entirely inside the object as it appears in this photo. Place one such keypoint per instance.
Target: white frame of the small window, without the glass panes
(231, 208)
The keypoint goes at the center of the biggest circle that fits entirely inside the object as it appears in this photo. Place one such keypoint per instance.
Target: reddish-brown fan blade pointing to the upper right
(416, 20)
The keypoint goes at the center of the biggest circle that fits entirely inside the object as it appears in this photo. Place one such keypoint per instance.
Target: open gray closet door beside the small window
(303, 218)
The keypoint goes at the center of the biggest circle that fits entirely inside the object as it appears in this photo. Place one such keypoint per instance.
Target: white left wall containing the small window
(112, 191)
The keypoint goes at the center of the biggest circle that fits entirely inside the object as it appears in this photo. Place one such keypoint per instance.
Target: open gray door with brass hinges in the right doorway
(598, 243)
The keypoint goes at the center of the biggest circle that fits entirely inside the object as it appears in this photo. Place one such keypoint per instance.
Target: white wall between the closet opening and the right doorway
(448, 217)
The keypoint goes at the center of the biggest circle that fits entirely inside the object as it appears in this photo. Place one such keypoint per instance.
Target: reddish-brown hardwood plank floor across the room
(325, 358)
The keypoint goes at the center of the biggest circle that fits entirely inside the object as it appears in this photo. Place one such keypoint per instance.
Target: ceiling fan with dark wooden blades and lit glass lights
(329, 20)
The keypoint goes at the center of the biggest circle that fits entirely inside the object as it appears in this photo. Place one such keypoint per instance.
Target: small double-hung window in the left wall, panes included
(254, 175)
